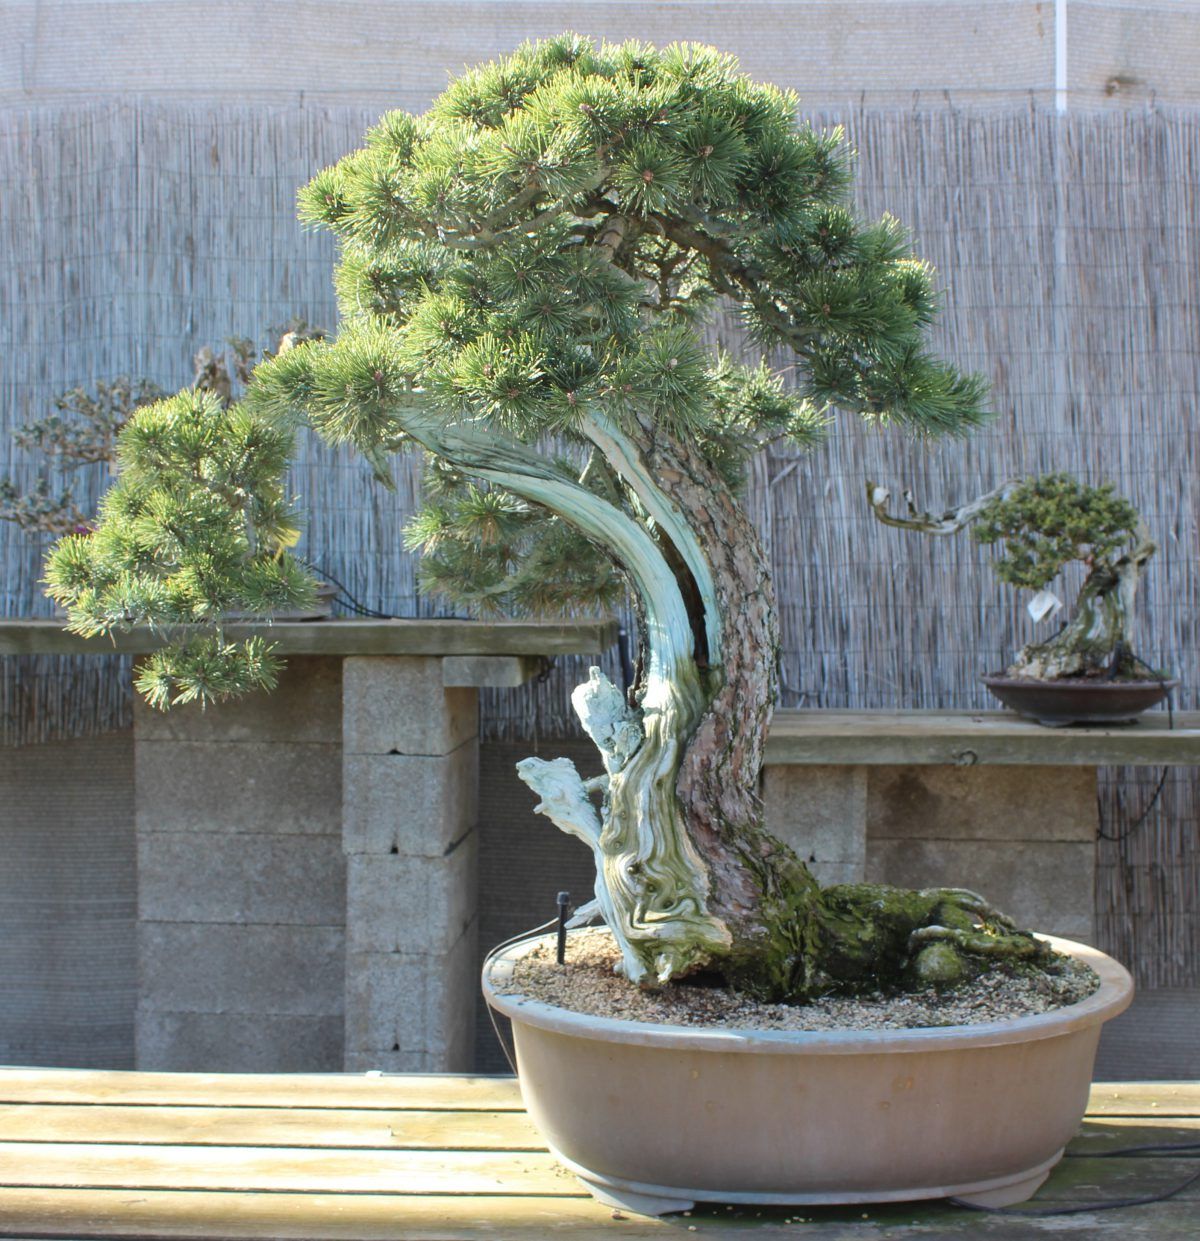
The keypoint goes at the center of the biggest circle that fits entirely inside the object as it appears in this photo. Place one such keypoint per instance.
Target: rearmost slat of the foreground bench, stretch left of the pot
(416, 1091)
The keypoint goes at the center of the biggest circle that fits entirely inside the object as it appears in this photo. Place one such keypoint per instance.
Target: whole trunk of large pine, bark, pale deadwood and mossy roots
(687, 876)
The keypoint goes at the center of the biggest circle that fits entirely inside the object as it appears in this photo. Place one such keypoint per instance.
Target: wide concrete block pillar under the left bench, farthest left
(241, 887)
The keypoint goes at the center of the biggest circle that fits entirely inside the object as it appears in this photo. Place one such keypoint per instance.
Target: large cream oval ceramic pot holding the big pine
(655, 1119)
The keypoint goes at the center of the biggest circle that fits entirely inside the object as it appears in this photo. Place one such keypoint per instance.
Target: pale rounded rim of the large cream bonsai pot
(1113, 997)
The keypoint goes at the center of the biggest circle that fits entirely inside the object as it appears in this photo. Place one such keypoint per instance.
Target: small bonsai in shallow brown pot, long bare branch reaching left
(1089, 671)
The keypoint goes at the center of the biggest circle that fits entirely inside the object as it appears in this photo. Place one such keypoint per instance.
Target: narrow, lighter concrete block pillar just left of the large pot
(410, 807)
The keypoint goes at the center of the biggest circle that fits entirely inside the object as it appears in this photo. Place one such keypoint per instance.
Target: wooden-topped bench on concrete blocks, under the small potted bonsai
(946, 799)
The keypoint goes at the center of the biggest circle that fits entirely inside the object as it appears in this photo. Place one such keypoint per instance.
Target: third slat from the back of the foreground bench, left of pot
(79, 1166)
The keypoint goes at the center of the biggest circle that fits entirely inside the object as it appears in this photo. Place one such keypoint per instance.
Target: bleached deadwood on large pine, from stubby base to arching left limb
(653, 883)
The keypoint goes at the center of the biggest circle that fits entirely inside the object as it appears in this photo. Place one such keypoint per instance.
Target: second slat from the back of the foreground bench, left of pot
(270, 1127)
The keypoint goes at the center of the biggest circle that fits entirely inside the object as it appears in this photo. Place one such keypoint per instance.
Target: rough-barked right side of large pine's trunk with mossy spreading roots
(790, 939)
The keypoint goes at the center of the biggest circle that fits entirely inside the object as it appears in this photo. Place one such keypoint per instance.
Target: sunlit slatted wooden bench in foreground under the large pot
(382, 1158)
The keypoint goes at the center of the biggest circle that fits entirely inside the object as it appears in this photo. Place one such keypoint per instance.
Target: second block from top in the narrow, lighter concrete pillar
(416, 806)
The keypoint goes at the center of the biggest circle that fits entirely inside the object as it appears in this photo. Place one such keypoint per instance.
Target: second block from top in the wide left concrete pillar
(209, 786)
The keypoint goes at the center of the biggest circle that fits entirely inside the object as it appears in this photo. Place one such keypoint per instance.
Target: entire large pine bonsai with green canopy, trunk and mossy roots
(524, 276)
